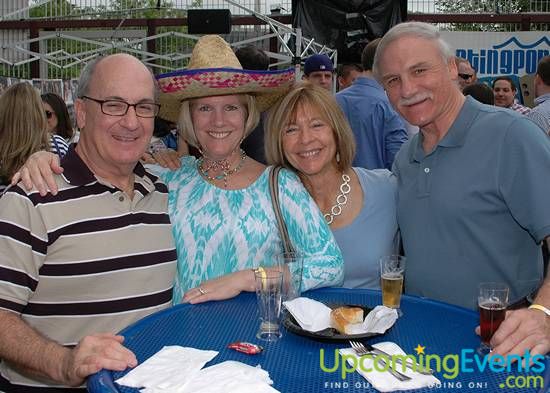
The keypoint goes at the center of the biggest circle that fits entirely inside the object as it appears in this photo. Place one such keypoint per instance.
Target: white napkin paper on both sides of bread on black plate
(314, 316)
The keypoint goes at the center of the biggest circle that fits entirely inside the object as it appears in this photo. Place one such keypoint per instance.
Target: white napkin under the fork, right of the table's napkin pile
(383, 381)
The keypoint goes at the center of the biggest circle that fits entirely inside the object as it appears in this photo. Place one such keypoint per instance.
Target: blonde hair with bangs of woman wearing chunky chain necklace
(283, 114)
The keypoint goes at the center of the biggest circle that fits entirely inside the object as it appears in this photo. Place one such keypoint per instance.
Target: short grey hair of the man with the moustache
(414, 29)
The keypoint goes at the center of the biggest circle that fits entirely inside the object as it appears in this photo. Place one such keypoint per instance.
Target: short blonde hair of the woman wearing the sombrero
(185, 121)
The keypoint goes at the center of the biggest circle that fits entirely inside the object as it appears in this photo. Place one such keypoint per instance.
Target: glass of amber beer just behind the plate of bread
(392, 271)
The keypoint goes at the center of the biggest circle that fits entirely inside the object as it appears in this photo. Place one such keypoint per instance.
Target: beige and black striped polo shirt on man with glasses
(88, 260)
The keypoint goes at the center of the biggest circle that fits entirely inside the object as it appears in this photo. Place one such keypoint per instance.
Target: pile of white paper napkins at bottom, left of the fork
(176, 369)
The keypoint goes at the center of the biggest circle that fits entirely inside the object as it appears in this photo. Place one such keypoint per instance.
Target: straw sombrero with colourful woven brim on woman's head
(214, 70)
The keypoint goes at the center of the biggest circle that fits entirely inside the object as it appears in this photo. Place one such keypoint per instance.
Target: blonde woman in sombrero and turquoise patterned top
(220, 206)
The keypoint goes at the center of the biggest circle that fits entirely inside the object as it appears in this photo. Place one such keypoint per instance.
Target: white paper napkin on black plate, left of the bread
(312, 315)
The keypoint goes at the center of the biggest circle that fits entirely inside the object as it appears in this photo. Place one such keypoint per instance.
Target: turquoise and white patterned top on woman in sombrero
(221, 231)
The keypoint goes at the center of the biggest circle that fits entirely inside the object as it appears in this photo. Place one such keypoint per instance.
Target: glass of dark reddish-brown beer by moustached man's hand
(492, 301)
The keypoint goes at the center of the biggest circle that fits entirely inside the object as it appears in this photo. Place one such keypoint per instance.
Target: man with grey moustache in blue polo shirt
(472, 206)
